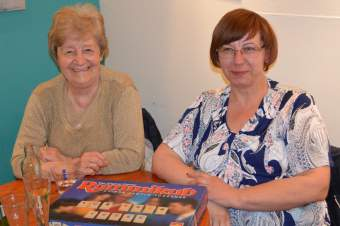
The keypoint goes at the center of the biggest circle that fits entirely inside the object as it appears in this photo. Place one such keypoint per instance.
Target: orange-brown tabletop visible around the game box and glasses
(17, 186)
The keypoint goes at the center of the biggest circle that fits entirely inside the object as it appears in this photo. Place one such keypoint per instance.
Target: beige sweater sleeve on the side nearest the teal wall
(32, 131)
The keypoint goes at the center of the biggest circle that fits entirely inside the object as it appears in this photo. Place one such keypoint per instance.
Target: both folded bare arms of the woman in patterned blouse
(307, 187)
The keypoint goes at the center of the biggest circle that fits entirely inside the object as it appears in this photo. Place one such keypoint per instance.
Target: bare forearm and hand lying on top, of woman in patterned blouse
(307, 187)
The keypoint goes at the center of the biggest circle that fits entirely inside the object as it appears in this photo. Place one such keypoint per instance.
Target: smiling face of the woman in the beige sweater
(79, 61)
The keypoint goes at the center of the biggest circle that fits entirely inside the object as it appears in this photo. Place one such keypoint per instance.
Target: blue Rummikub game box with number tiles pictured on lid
(123, 203)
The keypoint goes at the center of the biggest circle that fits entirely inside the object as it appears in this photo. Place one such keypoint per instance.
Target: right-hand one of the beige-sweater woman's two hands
(89, 163)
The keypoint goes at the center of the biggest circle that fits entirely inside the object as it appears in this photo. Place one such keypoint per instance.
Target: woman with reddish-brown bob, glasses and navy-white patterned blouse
(260, 148)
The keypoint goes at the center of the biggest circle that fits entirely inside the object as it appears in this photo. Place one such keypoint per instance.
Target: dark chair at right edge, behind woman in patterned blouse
(333, 197)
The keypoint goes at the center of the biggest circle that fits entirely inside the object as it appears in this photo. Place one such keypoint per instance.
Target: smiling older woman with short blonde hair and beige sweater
(87, 115)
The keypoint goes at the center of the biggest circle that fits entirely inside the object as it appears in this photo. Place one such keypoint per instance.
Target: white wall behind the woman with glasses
(164, 46)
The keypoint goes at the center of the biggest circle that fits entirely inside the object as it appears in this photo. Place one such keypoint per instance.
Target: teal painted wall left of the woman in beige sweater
(24, 63)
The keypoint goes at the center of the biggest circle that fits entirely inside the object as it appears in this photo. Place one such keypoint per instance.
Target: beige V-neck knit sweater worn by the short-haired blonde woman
(112, 124)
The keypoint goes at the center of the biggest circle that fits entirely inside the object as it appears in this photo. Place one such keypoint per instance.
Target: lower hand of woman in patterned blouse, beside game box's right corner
(219, 216)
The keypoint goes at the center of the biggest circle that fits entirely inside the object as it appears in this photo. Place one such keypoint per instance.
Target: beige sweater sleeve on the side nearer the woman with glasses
(128, 134)
